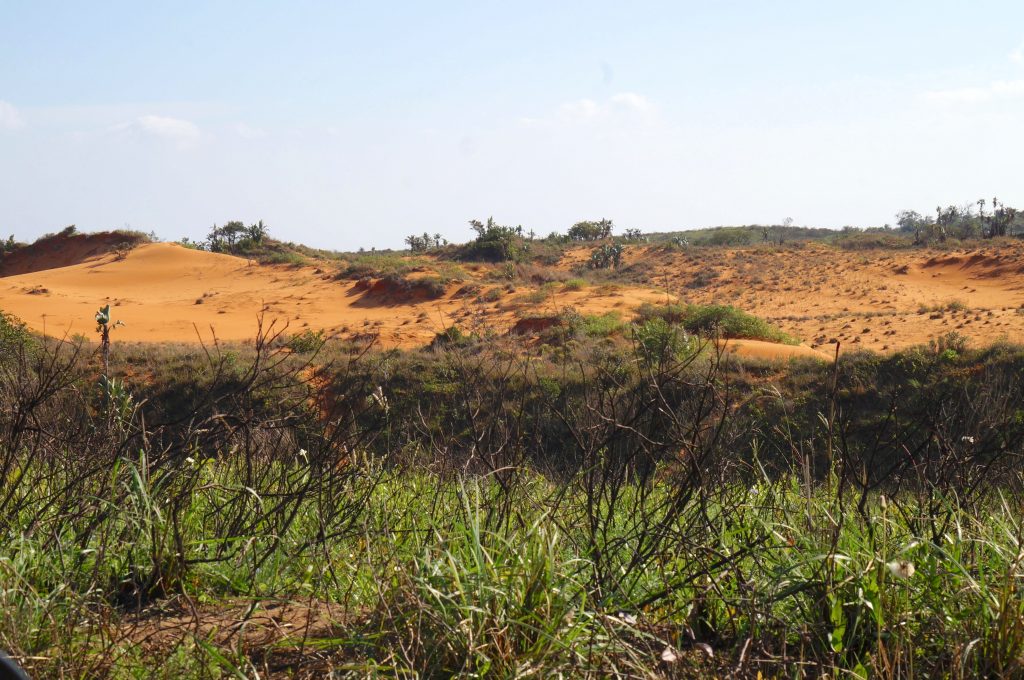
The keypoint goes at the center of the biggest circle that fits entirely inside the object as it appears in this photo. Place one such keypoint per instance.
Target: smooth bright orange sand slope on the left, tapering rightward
(165, 292)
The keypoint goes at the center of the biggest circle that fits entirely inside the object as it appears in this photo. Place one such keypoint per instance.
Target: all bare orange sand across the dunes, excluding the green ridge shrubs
(880, 301)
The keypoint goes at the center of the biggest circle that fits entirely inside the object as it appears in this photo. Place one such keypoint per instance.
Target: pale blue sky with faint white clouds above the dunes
(355, 124)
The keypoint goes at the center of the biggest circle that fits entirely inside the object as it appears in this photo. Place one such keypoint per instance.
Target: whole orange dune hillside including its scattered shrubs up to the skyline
(852, 292)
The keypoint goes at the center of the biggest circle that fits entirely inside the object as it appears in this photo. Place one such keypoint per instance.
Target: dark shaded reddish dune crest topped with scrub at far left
(65, 249)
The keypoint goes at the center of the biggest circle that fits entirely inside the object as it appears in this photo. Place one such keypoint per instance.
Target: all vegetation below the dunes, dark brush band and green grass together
(637, 520)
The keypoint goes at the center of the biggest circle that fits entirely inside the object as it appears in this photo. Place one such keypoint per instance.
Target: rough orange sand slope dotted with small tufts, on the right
(880, 301)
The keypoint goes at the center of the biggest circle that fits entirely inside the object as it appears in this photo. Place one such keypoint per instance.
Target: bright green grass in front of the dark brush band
(426, 580)
